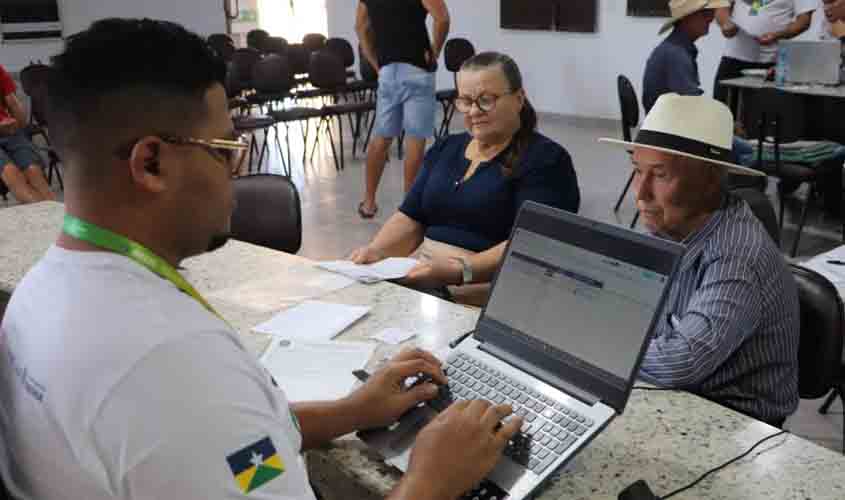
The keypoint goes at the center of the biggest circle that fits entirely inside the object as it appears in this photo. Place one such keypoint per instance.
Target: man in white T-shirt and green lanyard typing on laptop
(117, 379)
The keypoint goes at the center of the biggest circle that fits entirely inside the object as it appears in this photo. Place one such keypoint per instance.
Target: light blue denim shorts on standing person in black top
(405, 101)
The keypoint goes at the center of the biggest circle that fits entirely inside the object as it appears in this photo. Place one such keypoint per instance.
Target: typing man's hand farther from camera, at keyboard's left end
(384, 398)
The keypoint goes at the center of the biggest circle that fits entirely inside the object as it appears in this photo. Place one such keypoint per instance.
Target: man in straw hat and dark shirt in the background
(673, 65)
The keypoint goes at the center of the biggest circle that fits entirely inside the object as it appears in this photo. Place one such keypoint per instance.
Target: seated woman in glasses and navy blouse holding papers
(462, 206)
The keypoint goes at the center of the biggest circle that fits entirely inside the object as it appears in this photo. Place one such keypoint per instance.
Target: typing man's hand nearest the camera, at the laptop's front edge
(461, 446)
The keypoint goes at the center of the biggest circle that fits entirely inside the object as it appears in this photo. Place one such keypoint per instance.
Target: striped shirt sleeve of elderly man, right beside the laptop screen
(724, 311)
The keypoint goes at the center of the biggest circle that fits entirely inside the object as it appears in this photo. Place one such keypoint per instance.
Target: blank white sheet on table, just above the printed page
(313, 321)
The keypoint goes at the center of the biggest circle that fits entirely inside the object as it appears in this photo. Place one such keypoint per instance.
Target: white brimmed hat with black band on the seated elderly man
(692, 126)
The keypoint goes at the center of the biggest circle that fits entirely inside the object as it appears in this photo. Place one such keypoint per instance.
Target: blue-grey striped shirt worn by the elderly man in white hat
(730, 327)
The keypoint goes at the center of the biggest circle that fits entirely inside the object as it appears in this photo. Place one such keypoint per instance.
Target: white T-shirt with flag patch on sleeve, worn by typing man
(114, 384)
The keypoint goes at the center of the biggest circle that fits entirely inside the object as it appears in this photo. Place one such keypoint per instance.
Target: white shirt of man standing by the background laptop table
(758, 17)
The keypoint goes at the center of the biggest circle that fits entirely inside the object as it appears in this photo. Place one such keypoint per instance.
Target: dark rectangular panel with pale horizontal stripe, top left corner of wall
(30, 20)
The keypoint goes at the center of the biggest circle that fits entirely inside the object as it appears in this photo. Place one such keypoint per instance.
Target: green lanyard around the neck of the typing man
(116, 243)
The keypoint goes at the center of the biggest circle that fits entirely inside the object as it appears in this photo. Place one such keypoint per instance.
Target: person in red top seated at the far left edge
(20, 164)
